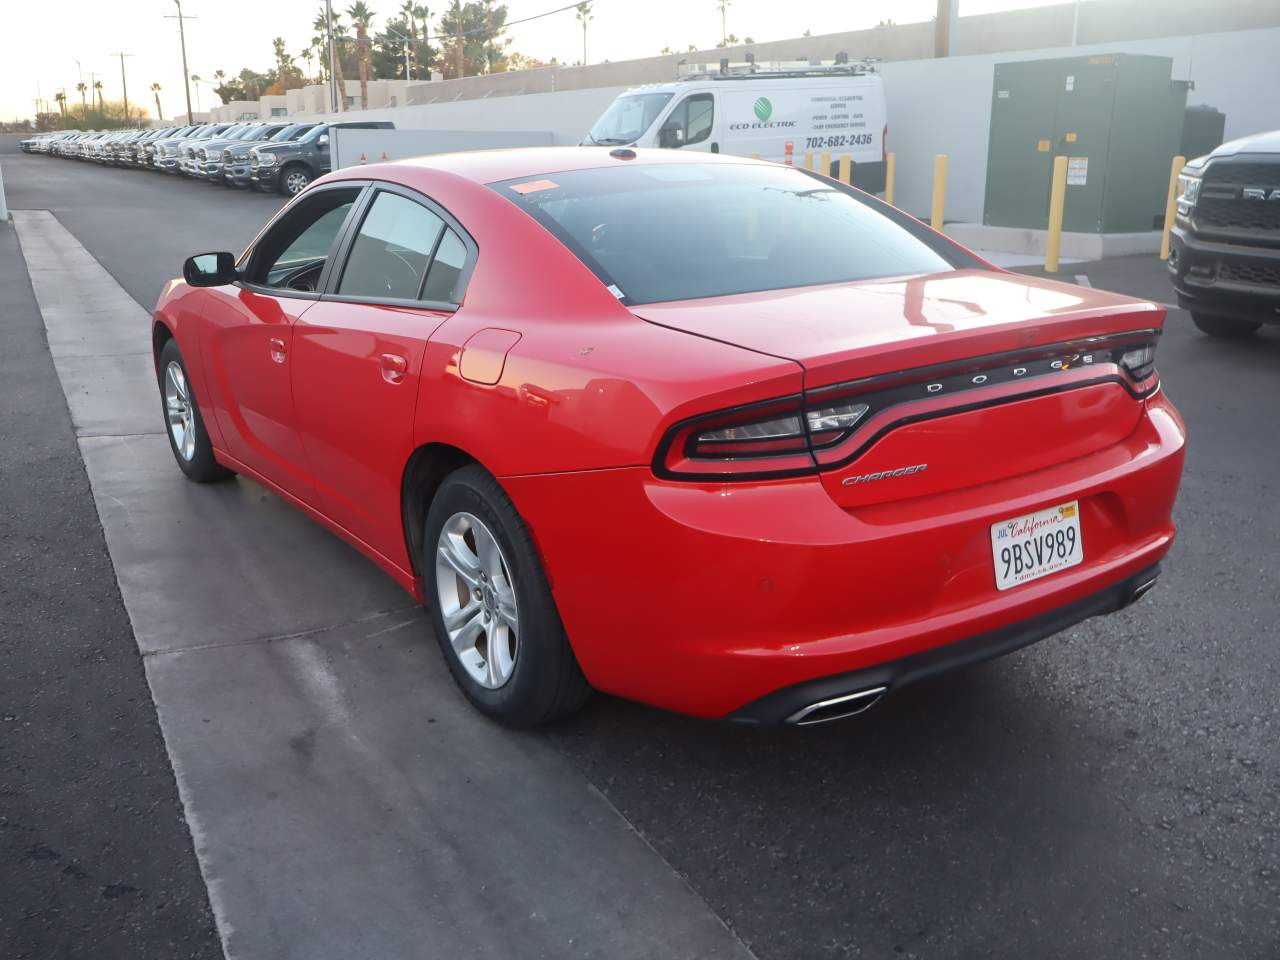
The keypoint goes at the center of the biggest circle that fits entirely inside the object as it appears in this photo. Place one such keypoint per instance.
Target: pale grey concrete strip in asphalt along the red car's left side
(344, 799)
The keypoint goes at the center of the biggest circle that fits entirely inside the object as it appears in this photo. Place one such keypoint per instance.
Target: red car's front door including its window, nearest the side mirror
(249, 339)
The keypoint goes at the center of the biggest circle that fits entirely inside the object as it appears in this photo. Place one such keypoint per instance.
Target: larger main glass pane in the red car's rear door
(392, 249)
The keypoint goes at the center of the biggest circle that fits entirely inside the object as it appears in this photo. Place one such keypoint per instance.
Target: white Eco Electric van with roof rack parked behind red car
(779, 112)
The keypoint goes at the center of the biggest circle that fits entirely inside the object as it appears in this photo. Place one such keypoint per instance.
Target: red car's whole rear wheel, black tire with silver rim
(478, 555)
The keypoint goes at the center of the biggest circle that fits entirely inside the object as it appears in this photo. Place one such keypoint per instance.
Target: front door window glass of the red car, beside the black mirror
(294, 253)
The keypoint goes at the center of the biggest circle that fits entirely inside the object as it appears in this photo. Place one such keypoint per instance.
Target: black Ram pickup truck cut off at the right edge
(1226, 246)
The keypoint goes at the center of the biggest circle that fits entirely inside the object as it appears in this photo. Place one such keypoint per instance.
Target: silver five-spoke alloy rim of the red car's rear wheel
(478, 600)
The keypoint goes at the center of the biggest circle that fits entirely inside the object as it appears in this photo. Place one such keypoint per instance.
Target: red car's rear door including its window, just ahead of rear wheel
(358, 356)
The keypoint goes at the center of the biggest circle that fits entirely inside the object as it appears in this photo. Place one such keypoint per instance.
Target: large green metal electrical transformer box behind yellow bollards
(1118, 118)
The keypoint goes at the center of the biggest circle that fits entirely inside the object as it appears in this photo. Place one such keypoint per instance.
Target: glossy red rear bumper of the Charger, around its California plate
(712, 598)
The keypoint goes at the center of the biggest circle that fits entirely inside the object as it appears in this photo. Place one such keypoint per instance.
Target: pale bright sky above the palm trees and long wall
(40, 45)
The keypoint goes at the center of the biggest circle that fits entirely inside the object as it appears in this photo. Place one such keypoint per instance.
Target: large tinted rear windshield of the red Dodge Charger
(682, 232)
